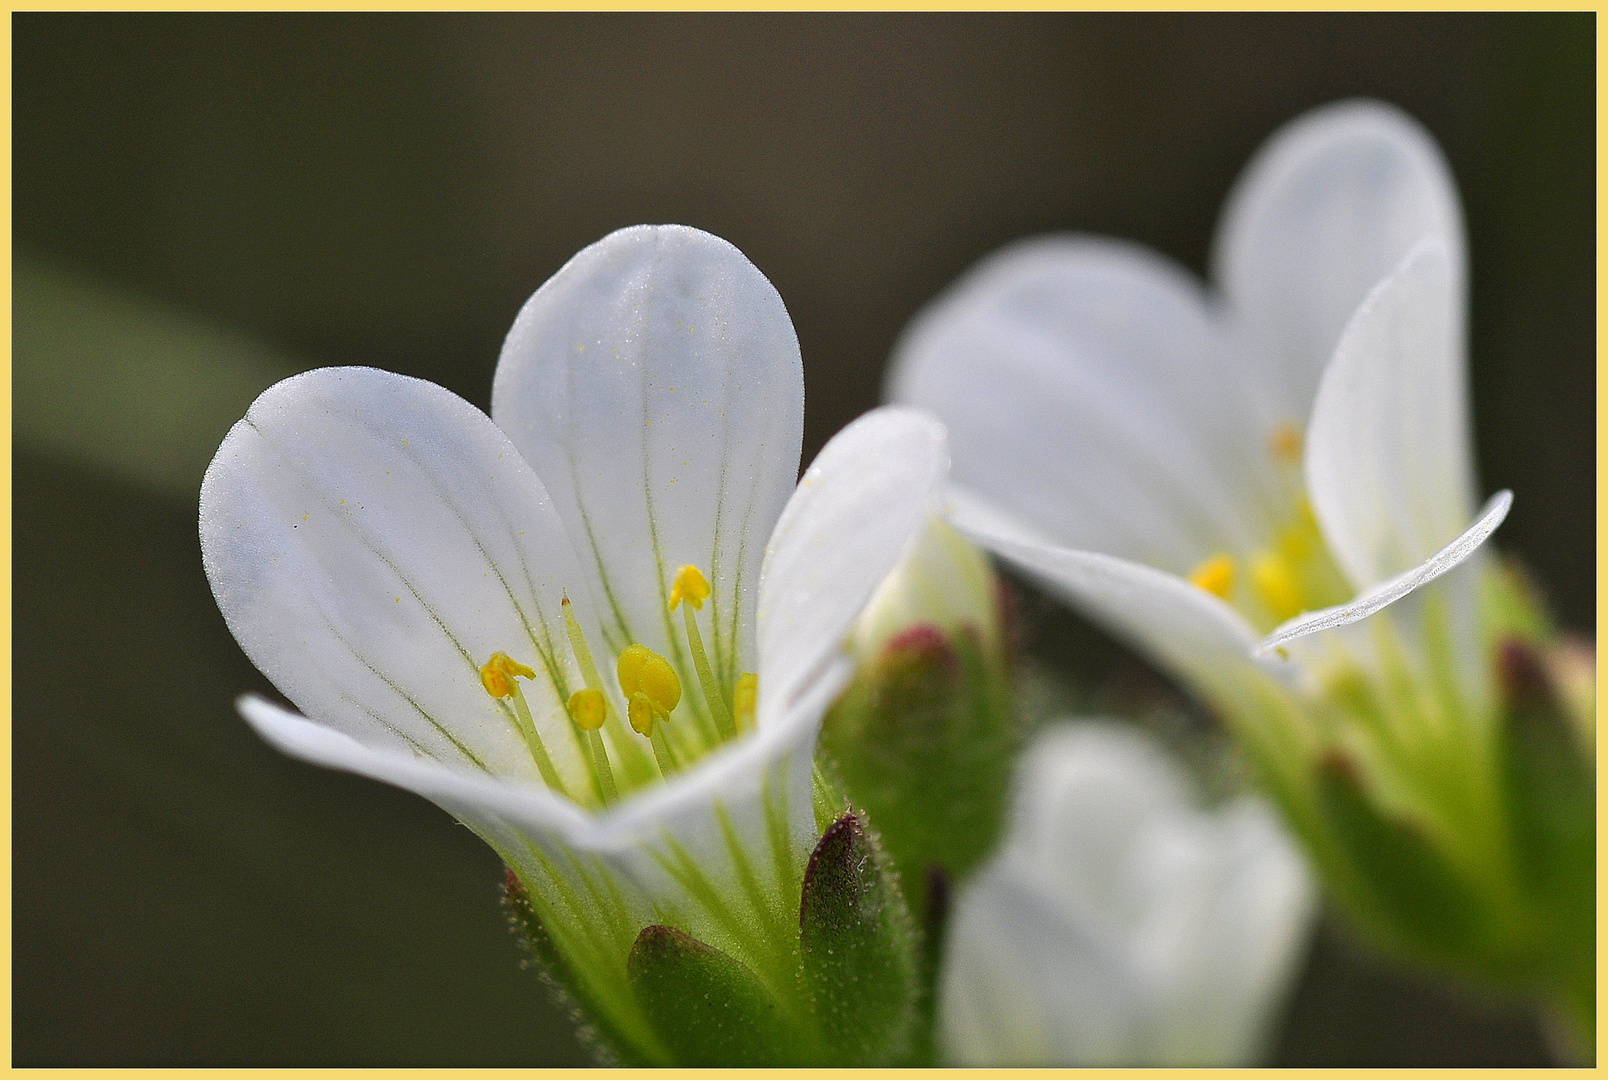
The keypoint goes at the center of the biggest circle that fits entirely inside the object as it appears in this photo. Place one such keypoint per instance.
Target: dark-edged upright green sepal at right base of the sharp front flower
(858, 949)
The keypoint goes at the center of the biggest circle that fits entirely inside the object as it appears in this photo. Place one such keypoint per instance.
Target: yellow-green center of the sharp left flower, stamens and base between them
(652, 693)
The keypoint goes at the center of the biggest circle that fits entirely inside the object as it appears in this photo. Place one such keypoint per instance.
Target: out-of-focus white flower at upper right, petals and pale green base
(1223, 477)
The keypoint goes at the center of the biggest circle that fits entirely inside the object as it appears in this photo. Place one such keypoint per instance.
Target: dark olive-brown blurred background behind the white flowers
(203, 203)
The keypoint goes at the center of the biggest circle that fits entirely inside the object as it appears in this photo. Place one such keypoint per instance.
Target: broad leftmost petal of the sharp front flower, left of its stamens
(372, 541)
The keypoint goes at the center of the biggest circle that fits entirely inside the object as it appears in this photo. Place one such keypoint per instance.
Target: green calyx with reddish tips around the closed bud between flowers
(925, 742)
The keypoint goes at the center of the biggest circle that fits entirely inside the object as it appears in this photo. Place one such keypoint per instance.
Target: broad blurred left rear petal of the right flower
(1085, 388)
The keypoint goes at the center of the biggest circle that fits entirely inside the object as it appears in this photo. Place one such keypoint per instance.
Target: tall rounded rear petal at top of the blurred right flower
(1324, 211)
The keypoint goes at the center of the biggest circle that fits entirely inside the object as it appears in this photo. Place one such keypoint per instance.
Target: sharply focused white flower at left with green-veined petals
(375, 544)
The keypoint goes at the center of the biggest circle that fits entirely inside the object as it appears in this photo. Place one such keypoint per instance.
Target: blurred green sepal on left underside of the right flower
(1409, 894)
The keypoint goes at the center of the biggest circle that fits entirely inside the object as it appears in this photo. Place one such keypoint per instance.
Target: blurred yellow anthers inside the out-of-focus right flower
(1290, 576)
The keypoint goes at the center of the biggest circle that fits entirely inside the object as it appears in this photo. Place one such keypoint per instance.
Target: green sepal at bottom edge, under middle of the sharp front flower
(707, 1007)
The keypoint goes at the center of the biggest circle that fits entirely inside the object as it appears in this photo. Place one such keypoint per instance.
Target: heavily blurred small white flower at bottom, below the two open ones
(1120, 925)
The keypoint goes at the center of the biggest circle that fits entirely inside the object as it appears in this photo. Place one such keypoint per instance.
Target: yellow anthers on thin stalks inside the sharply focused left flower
(649, 682)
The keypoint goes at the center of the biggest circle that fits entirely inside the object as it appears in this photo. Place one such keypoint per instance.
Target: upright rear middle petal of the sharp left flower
(655, 387)
